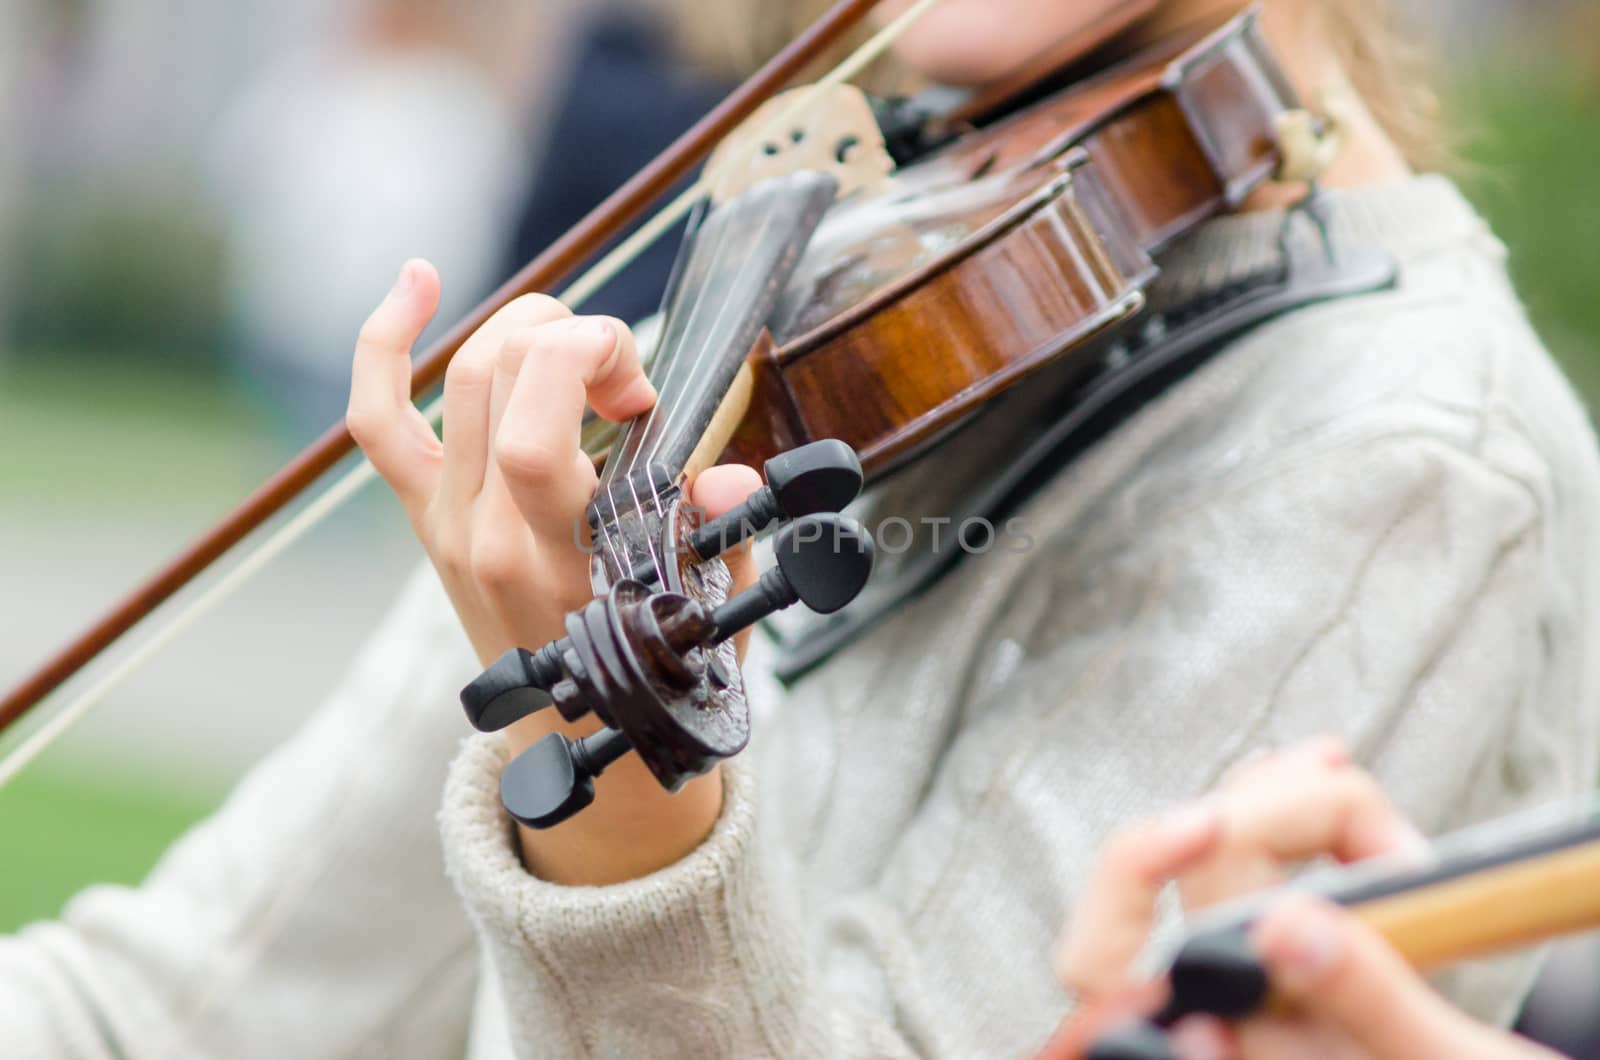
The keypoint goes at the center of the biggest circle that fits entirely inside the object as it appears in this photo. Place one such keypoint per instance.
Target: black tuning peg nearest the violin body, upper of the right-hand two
(818, 478)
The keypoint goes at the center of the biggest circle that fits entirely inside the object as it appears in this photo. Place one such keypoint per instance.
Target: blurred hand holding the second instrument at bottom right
(1353, 997)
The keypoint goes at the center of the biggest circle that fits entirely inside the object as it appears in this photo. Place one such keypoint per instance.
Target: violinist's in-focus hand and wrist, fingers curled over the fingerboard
(500, 510)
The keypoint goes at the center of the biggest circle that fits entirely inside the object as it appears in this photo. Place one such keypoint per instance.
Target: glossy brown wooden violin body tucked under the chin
(1009, 249)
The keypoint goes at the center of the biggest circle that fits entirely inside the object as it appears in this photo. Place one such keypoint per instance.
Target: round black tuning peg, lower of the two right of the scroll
(823, 563)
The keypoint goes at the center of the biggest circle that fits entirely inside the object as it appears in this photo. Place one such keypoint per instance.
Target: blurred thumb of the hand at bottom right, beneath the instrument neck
(1330, 965)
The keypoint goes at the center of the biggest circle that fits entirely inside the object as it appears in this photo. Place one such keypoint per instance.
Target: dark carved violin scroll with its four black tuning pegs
(654, 665)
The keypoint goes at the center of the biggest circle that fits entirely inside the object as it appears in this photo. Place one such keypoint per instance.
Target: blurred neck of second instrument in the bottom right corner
(1487, 889)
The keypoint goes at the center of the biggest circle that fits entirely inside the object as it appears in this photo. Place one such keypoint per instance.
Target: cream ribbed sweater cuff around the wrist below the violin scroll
(706, 949)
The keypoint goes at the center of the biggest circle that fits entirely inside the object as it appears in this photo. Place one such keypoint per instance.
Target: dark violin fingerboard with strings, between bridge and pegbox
(727, 284)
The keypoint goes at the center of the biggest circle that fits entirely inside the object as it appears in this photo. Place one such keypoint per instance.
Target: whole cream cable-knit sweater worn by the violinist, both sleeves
(1370, 518)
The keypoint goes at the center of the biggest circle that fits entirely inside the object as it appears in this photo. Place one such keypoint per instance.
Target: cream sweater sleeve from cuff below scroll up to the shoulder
(1367, 518)
